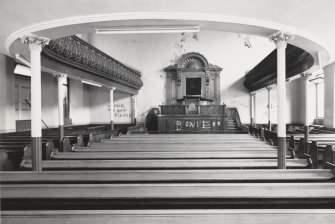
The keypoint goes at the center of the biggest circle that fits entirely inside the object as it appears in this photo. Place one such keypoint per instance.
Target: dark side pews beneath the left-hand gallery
(14, 146)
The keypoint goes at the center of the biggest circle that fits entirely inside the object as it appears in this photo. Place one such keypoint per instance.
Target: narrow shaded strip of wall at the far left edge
(7, 100)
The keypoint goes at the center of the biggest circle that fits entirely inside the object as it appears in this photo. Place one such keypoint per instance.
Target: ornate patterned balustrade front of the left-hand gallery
(75, 52)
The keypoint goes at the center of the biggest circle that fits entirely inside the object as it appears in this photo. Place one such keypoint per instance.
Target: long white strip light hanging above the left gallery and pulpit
(149, 29)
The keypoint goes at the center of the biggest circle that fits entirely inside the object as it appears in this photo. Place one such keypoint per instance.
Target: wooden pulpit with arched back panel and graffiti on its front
(193, 97)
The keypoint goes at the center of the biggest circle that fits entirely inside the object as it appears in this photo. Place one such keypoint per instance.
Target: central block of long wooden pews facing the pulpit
(169, 178)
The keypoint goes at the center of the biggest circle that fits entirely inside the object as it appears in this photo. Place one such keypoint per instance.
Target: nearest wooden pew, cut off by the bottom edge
(186, 216)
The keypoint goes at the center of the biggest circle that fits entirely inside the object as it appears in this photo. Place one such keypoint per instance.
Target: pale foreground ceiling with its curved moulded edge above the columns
(312, 21)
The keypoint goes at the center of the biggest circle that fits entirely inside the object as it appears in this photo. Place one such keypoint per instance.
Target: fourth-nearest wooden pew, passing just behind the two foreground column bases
(165, 164)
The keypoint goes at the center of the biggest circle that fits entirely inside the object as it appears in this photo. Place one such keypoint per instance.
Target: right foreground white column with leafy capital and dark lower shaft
(280, 39)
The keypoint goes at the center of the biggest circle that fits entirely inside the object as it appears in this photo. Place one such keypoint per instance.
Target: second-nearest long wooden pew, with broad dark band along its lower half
(167, 195)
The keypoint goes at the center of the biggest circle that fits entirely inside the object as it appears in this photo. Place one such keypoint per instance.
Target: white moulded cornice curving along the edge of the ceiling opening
(209, 17)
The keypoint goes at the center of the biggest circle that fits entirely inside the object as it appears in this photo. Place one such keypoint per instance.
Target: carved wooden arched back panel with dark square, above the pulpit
(193, 76)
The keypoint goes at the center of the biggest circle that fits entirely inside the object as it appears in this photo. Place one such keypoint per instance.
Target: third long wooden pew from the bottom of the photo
(213, 175)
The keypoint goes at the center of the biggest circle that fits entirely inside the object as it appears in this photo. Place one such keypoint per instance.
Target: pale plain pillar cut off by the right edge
(329, 105)
